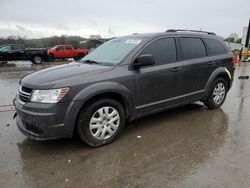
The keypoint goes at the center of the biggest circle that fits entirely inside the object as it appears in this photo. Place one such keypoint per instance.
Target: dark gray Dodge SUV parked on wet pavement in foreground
(124, 79)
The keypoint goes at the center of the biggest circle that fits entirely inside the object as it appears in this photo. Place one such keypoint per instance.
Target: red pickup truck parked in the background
(66, 51)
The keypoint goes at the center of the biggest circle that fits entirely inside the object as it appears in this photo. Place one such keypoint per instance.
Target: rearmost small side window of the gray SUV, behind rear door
(215, 47)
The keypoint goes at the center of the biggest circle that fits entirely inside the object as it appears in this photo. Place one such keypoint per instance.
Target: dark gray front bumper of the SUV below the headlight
(45, 121)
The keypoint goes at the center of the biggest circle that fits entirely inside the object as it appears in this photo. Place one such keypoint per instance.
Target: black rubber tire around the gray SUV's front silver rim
(84, 122)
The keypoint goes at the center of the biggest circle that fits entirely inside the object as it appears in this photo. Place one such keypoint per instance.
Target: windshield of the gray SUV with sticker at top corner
(112, 52)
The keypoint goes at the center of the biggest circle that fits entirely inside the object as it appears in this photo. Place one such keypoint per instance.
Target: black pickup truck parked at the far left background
(17, 52)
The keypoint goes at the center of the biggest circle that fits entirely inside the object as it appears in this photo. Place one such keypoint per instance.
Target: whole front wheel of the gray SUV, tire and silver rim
(101, 122)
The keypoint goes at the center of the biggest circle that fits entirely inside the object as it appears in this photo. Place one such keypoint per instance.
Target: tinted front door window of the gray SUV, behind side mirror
(163, 51)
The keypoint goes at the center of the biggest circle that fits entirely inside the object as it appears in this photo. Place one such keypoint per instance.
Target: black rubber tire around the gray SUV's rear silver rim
(210, 102)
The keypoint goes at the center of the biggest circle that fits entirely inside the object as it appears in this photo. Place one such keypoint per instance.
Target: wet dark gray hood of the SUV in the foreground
(46, 78)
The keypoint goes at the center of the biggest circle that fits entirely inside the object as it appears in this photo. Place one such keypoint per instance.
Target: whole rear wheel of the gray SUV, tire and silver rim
(217, 94)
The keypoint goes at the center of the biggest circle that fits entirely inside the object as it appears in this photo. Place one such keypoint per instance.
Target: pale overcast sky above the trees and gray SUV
(43, 18)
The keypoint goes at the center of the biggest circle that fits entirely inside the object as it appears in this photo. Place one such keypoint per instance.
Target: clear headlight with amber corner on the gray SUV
(49, 96)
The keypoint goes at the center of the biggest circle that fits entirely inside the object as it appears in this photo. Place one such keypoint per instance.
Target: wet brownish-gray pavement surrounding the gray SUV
(189, 146)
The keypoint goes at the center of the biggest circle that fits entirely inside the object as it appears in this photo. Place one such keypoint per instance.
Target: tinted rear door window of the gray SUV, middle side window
(192, 48)
